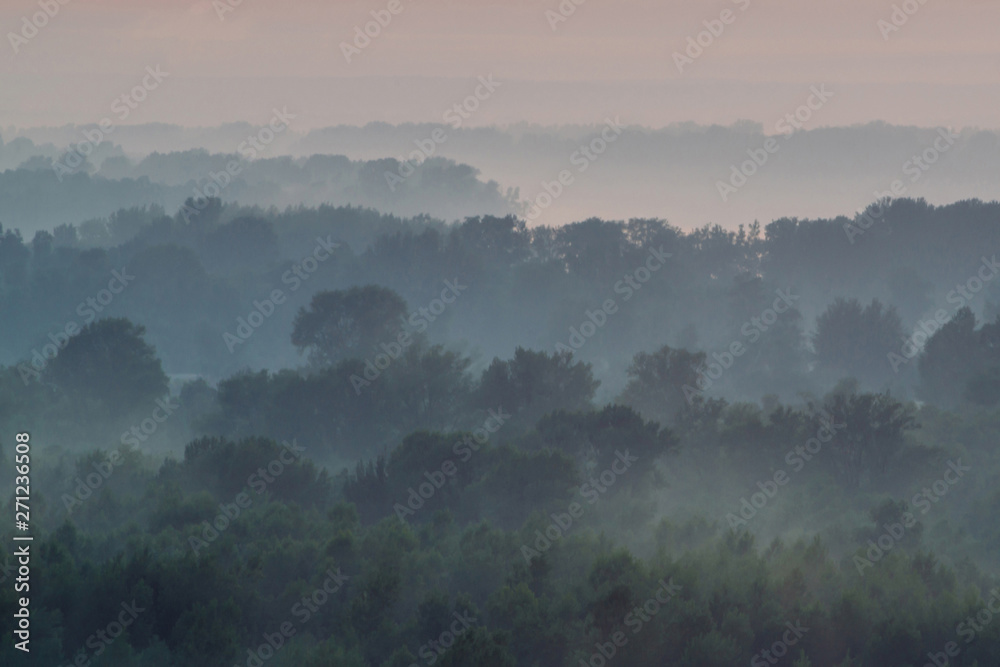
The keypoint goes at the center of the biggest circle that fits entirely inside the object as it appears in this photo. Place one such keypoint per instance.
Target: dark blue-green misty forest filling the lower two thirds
(411, 430)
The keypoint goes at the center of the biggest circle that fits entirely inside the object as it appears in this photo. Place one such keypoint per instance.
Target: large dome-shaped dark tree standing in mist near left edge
(110, 363)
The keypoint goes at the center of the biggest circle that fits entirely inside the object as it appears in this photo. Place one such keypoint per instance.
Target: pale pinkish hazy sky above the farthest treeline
(939, 68)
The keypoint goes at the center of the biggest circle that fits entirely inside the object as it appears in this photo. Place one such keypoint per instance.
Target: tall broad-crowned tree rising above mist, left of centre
(342, 324)
